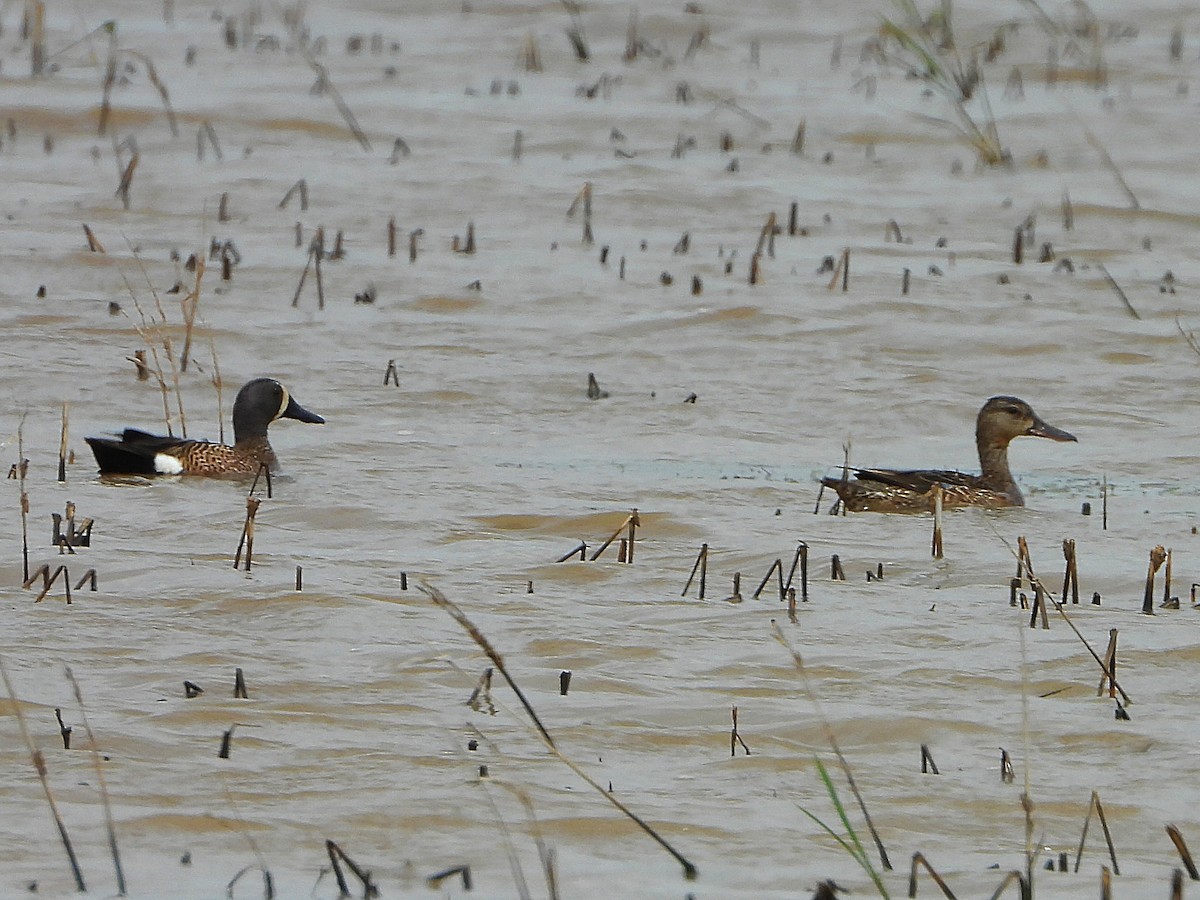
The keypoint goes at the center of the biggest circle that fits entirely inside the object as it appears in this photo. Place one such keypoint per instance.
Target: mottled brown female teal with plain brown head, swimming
(890, 491)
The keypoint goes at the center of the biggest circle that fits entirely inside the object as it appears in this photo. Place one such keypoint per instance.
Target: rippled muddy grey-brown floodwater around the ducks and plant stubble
(488, 461)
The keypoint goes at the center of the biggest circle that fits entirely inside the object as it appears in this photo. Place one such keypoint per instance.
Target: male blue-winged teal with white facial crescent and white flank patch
(259, 404)
